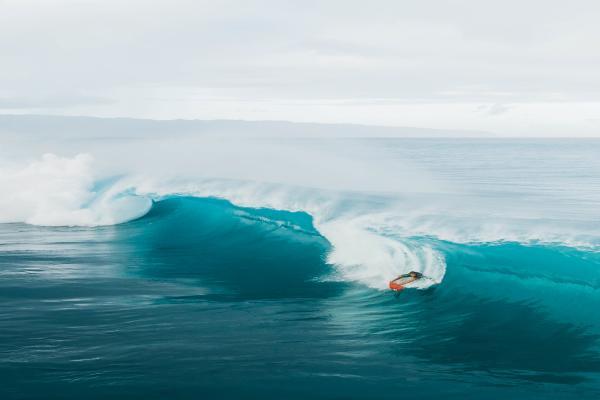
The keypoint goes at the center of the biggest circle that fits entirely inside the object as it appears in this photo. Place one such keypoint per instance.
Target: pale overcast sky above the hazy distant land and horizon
(515, 68)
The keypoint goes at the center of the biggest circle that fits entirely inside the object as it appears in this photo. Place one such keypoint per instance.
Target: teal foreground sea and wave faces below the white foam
(203, 299)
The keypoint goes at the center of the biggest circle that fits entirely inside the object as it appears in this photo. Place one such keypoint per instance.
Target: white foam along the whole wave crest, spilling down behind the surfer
(374, 237)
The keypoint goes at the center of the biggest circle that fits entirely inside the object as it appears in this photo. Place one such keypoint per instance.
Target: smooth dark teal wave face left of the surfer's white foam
(233, 250)
